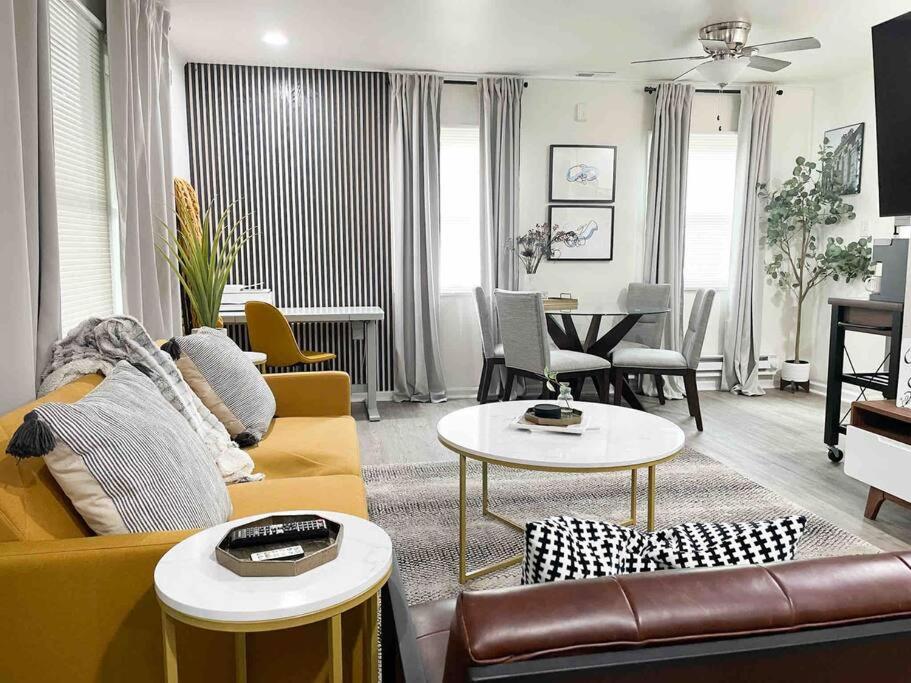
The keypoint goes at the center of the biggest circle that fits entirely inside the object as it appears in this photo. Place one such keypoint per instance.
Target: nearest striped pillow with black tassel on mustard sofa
(127, 460)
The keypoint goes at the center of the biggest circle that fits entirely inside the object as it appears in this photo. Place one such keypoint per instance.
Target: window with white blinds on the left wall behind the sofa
(88, 255)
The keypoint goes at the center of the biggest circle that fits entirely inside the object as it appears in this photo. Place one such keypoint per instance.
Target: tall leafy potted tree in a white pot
(801, 257)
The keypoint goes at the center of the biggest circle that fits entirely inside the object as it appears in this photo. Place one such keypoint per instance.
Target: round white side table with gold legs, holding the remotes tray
(193, 588)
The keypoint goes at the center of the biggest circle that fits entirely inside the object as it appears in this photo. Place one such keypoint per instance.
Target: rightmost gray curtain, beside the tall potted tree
(744, 319)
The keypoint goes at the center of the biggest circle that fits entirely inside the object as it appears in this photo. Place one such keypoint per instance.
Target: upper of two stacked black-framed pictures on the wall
(582, 173)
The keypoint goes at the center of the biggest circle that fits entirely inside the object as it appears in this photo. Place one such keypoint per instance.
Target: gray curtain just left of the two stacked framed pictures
(500, 108)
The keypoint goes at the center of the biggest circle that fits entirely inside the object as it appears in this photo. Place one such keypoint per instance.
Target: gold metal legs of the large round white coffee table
(465, 575)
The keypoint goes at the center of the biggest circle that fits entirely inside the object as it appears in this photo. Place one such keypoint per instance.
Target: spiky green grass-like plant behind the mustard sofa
(202, 255)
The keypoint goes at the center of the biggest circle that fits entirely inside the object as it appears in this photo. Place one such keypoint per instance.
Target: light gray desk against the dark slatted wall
(363, 321)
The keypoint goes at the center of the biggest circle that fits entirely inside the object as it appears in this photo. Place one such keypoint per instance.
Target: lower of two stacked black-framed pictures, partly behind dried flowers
(582, 232)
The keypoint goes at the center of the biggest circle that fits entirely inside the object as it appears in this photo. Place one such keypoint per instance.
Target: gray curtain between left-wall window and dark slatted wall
(141, 141)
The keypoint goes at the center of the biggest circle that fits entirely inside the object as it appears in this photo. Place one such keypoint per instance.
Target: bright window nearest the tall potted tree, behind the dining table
(709, 209)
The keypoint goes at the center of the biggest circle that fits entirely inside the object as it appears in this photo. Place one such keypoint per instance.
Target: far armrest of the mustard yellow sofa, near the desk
(311, 394)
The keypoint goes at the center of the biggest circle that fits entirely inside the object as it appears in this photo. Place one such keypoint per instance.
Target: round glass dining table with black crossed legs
(561, 325)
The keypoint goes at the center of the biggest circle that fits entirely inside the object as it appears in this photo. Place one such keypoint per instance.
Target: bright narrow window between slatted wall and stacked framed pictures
(460, 218)
